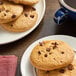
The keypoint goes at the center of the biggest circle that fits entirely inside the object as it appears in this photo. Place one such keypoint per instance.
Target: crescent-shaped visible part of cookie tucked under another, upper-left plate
(25, 22)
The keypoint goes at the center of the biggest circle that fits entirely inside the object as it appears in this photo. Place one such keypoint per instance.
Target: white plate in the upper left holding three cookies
(7, 37)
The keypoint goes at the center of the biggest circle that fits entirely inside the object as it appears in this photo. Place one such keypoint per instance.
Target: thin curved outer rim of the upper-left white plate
(32, 29)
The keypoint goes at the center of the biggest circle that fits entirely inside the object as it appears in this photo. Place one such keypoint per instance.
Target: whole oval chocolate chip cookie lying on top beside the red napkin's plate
(52, 54)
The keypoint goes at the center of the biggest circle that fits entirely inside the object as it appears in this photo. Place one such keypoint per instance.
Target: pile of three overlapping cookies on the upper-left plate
(18, 15)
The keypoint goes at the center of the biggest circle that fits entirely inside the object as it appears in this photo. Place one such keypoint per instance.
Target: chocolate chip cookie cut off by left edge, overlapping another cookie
(9, 11)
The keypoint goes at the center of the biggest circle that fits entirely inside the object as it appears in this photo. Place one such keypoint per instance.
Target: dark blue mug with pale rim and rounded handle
(64, 13)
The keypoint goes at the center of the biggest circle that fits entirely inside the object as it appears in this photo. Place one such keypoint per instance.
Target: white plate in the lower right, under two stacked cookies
(26, 67)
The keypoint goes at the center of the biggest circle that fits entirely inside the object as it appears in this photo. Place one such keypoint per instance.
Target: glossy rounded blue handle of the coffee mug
(60, 16)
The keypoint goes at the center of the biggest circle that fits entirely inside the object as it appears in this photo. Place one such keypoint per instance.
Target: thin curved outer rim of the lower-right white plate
(43, 38)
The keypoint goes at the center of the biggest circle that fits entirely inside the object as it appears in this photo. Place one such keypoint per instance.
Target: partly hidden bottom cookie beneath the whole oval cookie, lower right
(70, 70)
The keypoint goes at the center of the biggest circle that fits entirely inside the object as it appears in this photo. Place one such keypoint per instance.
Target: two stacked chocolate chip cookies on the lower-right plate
(53, 58)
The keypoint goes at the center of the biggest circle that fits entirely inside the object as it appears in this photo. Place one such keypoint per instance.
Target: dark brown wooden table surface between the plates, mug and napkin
(46, 27)
